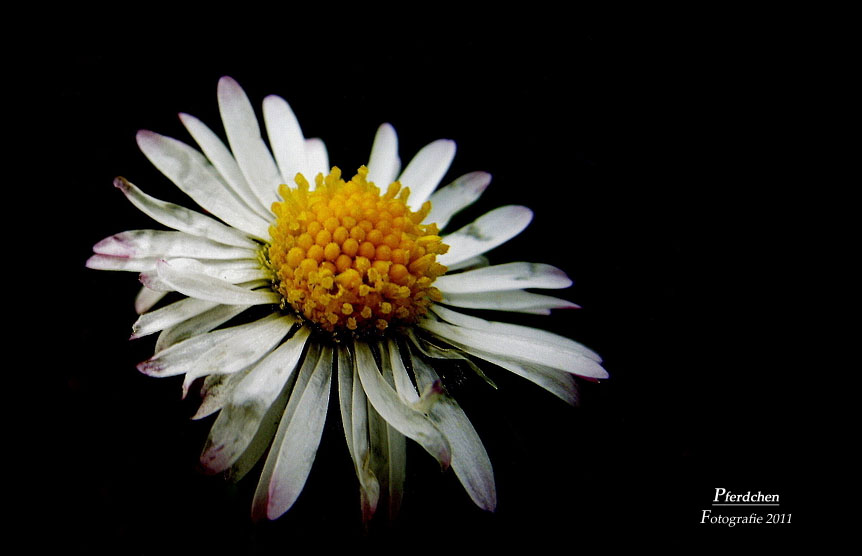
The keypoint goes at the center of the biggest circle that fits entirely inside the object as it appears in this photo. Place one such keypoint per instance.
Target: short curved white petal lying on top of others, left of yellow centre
(201, 286)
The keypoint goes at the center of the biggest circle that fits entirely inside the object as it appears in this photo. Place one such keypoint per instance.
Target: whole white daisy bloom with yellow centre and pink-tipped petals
(281, 291)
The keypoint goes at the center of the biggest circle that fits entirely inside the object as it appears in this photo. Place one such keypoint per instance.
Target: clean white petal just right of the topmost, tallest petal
(285, 137)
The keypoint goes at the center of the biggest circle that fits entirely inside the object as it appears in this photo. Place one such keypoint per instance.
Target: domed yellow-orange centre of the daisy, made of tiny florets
(349, 258)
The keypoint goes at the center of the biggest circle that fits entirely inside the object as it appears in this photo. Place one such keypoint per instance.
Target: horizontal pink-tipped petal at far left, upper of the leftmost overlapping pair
(157, 243)
